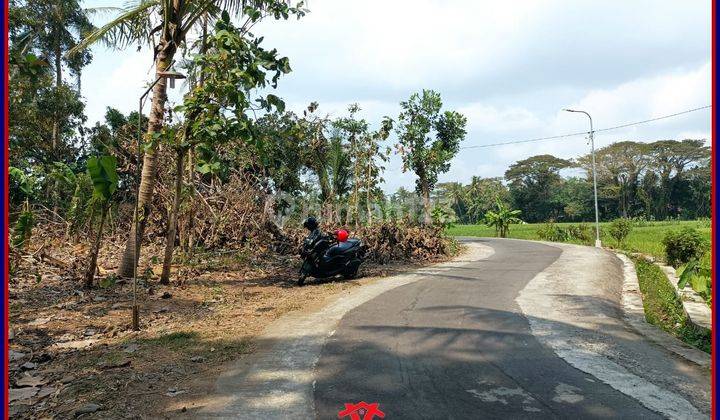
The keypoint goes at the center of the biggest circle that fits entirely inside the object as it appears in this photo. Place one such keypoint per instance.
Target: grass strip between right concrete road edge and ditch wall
(664, 309)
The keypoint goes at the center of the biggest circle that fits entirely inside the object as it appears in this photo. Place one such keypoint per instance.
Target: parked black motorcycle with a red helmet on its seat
(329, 255)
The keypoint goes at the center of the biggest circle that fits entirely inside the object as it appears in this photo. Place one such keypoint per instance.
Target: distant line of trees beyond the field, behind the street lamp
(656, 181)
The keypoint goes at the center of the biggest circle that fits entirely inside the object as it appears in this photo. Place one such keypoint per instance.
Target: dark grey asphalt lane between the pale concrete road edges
(456, 344)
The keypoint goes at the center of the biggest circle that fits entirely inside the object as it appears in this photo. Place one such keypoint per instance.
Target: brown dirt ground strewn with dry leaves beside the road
(73, 353)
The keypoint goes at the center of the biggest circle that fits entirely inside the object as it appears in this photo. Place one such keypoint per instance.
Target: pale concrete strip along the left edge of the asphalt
(277, 382)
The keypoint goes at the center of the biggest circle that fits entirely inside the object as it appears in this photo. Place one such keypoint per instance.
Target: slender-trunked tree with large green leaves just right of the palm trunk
(234, 69)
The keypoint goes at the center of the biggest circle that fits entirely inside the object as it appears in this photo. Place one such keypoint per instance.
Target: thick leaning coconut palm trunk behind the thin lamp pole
(149, 175)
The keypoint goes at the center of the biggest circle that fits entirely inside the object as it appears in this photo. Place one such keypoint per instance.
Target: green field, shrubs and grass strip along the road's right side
(682, 244)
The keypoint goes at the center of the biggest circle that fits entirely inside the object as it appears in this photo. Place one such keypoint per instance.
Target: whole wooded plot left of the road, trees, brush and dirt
(202, 200)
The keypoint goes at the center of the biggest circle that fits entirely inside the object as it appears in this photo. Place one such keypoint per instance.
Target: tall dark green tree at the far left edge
(46, 113)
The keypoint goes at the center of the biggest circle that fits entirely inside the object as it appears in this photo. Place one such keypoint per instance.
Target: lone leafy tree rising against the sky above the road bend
(427, 141)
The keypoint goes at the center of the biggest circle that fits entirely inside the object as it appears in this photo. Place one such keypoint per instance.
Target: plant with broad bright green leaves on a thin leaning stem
(103, 173)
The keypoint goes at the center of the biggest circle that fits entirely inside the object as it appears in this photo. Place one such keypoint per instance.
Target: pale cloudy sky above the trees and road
(510, 67)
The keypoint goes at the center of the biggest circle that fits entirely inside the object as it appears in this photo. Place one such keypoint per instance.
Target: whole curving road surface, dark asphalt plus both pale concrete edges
(531, 331)
